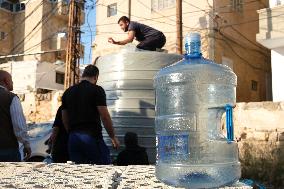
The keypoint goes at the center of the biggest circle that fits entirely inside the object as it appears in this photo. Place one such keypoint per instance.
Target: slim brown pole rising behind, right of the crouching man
(179, 26)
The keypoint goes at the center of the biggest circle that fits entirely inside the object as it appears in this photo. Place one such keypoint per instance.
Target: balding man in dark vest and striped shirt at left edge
(13, 128)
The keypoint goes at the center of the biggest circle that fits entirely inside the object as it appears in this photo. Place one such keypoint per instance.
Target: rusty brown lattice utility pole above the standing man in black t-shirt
(72, 71)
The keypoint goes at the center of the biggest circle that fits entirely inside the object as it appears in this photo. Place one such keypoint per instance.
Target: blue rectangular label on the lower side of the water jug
(172, 146)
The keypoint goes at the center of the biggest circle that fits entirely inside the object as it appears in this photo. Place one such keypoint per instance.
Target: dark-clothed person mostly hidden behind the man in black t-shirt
(59, 140)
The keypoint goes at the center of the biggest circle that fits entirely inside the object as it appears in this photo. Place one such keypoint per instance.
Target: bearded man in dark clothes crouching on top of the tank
(149, 38)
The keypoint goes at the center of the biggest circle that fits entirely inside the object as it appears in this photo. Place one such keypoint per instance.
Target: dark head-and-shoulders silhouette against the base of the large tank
(133, 153)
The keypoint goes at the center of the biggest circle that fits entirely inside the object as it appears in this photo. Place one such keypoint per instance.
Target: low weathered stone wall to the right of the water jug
(259, 129)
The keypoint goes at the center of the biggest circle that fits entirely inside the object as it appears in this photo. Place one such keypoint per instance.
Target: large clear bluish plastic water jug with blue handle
(191, 97)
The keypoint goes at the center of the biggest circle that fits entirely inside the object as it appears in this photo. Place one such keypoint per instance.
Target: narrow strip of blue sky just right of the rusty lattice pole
(88, 34)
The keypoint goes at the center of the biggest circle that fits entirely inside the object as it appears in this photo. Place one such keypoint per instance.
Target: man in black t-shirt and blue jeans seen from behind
(83, 108)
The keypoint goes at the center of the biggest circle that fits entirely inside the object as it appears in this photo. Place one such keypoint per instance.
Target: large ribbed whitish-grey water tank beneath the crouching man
(127, 77)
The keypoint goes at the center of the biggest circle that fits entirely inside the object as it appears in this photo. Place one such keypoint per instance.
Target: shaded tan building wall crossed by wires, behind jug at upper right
(236, 40)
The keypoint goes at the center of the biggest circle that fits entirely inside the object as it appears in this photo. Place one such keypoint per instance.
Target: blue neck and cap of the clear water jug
(193, 49)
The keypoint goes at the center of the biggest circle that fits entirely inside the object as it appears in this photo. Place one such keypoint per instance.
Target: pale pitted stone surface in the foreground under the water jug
(40, 175)
